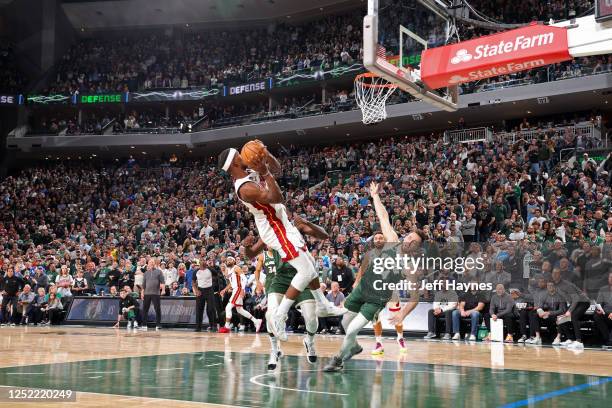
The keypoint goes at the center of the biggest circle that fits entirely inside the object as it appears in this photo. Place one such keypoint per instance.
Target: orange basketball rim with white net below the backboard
(371, 93)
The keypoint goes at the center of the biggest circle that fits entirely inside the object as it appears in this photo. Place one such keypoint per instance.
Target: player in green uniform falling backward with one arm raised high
(369, 297)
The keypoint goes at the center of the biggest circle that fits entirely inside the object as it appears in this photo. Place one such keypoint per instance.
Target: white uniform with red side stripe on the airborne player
(273, 225)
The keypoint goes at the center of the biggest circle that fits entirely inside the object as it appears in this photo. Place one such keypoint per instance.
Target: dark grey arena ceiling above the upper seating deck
(121, 14)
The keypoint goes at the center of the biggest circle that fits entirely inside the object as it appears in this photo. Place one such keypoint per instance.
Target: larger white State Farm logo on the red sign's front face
(519, 43)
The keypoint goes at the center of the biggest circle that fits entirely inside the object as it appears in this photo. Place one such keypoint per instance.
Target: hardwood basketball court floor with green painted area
(181, 368)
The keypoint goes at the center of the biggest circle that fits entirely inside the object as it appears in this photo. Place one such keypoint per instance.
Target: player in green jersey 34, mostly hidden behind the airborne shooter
(278, 279)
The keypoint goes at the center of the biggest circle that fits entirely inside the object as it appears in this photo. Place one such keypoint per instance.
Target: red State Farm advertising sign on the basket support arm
(516, 50)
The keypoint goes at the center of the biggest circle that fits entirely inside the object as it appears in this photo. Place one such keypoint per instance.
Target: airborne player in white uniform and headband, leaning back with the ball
(259, 192)
